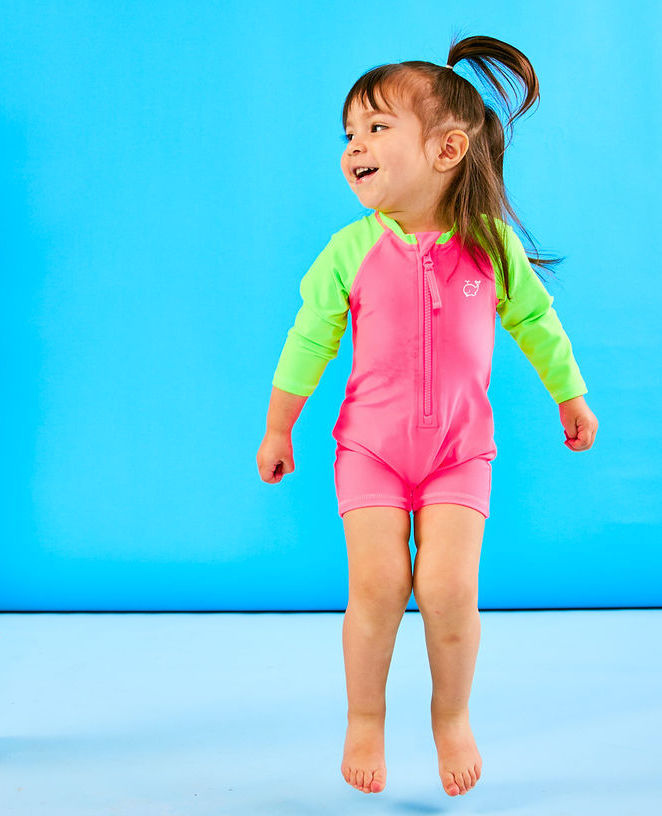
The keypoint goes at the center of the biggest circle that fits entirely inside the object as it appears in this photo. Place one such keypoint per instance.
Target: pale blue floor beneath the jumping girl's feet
(227, 714)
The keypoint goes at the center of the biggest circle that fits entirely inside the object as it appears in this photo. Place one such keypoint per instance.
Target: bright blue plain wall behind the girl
(169, 170)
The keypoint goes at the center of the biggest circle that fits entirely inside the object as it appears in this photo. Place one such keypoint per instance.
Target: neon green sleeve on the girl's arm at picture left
(314, 339)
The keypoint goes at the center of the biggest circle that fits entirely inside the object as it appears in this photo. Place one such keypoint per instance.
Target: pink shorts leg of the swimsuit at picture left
(365, 481)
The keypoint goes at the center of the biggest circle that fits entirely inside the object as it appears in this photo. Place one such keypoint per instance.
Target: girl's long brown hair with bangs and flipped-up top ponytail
(444, 100)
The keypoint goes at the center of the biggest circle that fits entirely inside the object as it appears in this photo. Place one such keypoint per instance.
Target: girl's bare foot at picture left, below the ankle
(363, 763)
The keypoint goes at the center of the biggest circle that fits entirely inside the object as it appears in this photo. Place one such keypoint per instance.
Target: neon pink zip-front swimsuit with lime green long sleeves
(416, 425)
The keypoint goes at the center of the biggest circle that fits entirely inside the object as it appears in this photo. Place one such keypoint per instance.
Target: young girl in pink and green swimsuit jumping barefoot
(424, 276)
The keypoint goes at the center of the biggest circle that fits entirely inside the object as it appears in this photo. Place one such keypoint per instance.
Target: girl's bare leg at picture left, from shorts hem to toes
(380, 585)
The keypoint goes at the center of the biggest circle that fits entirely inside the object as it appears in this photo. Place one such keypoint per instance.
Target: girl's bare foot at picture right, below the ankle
(459, 761)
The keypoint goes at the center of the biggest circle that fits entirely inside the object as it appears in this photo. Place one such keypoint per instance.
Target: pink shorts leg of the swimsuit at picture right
(469, 483)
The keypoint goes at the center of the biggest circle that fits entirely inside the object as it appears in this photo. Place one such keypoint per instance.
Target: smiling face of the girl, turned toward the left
(392, 143)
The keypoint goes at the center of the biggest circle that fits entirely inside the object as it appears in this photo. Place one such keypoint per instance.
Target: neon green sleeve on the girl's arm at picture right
(535, 326)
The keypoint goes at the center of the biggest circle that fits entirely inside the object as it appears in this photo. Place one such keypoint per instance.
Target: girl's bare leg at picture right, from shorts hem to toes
(448, 540)
